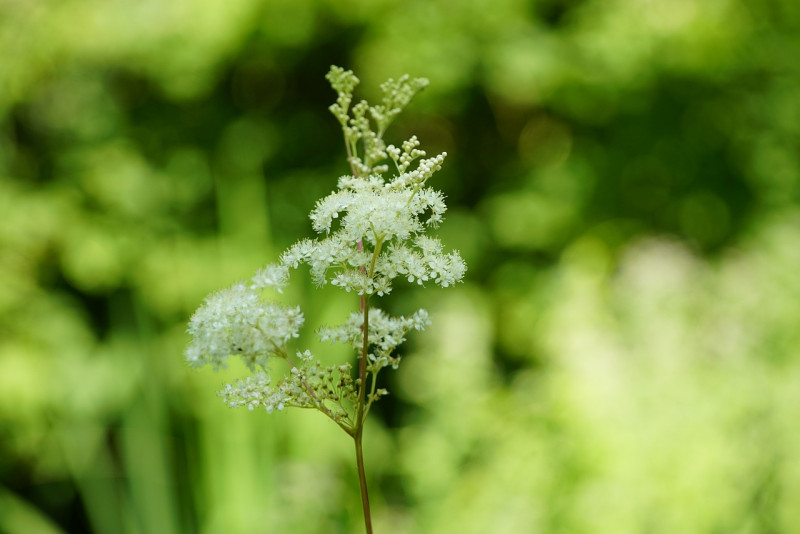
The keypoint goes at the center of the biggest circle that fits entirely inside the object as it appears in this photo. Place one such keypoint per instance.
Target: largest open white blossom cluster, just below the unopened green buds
(379, 234)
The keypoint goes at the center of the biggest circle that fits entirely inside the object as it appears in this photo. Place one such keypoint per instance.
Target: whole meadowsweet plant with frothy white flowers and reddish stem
(374, 229)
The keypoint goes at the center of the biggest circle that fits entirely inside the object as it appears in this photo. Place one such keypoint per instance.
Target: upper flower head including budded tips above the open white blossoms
(379, 230)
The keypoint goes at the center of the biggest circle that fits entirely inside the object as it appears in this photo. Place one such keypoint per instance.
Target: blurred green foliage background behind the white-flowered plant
(623, 180)
